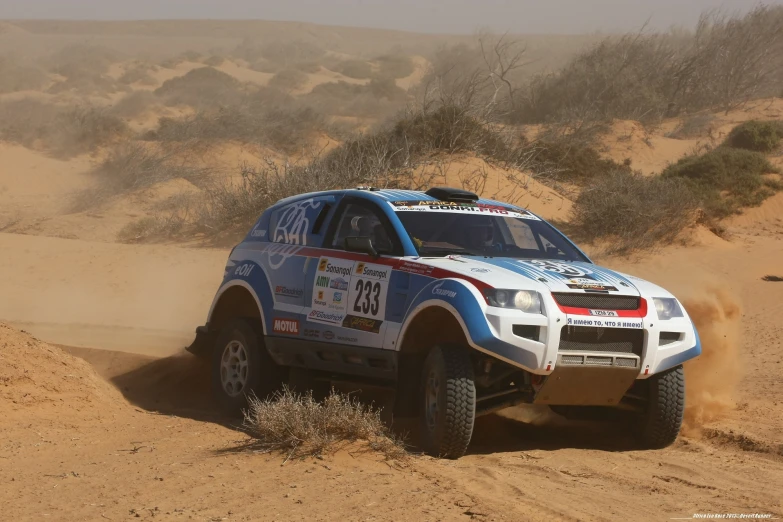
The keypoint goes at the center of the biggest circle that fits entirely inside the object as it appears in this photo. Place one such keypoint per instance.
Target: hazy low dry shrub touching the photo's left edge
(61, 131)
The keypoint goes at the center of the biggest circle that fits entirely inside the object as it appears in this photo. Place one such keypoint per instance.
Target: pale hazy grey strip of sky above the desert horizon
(435, 16)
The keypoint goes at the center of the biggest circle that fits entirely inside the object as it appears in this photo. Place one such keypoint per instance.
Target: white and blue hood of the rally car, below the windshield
(538, 274)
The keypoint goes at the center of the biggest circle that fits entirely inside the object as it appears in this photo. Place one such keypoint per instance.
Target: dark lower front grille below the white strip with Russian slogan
(594, 339)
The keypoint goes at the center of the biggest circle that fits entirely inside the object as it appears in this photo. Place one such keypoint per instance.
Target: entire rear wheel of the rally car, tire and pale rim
(241, 366)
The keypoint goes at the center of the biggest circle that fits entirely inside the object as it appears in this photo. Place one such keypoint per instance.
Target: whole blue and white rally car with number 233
(461, 306)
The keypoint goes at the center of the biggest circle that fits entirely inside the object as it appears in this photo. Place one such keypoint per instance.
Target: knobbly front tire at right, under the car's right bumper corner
(660, 424)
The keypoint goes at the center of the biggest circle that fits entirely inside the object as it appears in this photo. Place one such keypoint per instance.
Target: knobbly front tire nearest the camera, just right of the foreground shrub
(447, 433)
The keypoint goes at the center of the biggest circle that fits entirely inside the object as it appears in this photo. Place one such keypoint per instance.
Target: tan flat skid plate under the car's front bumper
(586, 385)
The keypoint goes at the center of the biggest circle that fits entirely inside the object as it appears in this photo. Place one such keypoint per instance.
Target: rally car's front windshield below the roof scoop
(516, 234)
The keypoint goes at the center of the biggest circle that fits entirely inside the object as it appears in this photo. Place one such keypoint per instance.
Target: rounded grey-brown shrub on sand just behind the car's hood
(632, 211)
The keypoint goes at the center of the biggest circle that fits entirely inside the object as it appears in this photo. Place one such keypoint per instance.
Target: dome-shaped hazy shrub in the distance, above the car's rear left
(202, 87)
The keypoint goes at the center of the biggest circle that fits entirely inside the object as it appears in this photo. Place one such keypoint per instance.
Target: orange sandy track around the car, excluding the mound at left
(161, 451)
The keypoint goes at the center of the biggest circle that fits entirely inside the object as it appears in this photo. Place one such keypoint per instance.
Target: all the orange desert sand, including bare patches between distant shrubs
(105, 417)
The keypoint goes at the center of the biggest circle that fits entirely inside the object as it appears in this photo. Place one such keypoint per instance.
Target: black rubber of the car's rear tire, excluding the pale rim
(263, 377)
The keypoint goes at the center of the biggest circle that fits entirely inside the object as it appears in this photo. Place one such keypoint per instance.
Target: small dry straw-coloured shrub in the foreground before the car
(299, 426)
